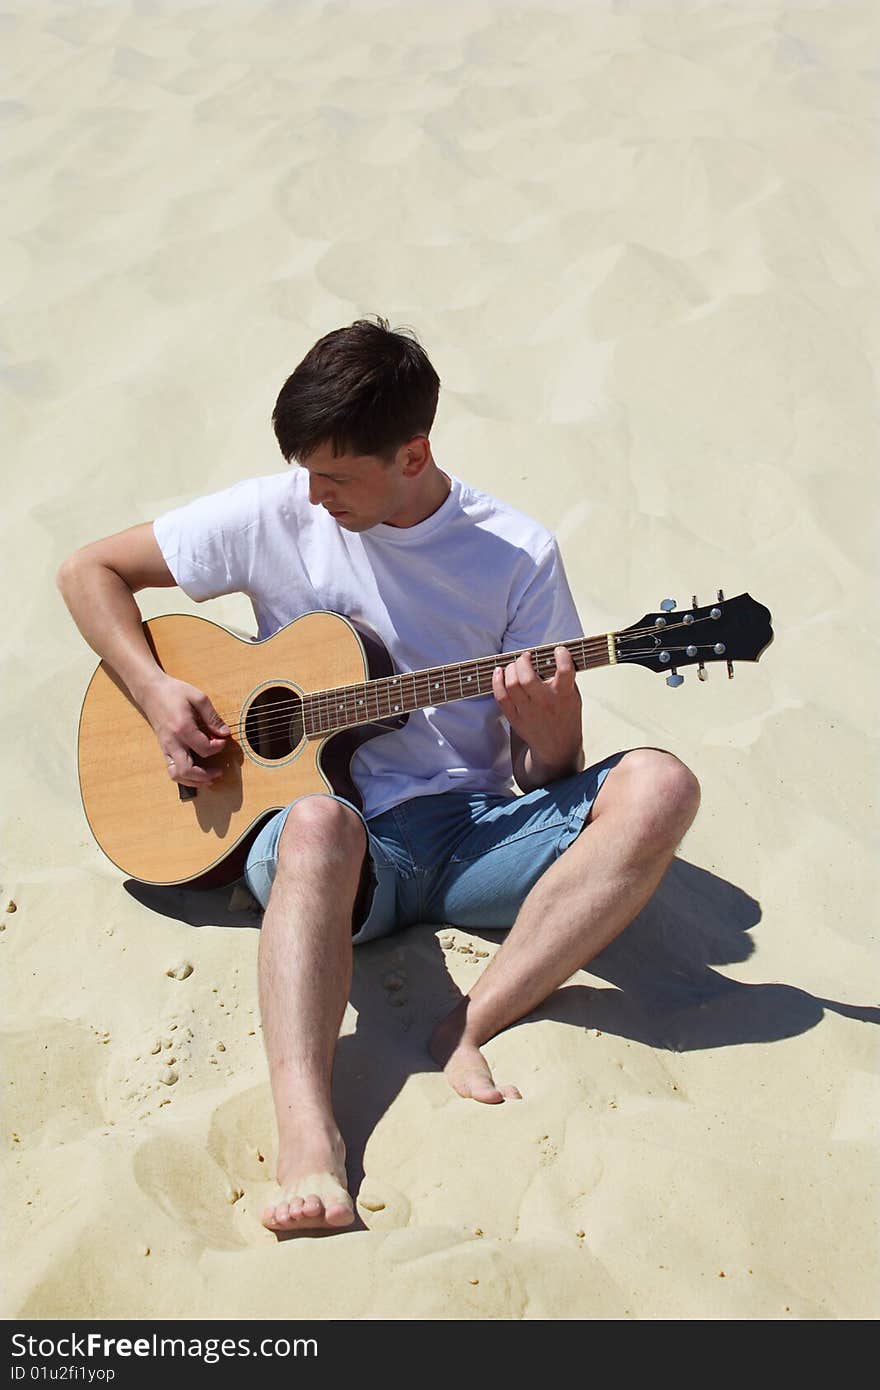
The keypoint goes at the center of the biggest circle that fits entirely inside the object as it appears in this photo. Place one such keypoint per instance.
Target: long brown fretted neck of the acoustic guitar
(347, 707)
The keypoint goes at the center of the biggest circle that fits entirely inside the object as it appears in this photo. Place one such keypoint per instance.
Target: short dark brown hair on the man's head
(365, 390)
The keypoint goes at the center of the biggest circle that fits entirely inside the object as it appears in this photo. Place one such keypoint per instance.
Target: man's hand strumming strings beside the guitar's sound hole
(186, 725)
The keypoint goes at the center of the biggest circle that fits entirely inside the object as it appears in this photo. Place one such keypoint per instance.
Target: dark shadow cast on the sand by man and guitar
(662, 989)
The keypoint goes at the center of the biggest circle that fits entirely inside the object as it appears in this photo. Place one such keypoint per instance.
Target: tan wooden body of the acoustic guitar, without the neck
(136, 811)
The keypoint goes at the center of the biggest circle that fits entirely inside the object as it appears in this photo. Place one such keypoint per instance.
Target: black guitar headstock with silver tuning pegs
(729, 630)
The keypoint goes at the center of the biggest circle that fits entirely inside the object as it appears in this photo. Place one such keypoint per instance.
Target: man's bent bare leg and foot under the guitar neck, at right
(583, 901)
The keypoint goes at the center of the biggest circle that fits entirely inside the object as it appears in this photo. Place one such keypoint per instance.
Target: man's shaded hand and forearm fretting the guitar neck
(547, 739)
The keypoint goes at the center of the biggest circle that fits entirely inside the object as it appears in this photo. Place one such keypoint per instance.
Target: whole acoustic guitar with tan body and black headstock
(298, 707)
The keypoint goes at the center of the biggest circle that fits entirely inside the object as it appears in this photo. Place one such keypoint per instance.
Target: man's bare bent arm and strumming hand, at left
(99, 584)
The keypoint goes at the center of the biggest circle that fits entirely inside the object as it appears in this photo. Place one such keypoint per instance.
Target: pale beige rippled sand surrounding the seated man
(639, 243)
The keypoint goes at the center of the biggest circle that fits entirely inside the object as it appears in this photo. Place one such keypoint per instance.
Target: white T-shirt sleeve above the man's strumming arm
(209, 544)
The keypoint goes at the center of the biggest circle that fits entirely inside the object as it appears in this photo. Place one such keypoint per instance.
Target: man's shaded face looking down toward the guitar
(359, 491)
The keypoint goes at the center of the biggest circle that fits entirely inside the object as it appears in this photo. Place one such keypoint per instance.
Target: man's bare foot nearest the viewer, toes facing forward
(313, 1189)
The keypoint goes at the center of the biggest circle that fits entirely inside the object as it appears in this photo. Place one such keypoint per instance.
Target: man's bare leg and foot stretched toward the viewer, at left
(305, 975)
